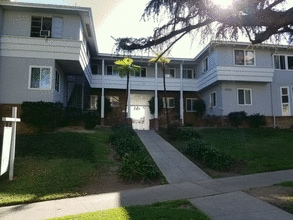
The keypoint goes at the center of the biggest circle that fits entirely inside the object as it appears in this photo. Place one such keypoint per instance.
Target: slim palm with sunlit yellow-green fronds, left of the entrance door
(124, 68)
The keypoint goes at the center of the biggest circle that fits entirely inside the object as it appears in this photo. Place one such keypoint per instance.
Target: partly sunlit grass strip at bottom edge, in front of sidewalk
(180, 209)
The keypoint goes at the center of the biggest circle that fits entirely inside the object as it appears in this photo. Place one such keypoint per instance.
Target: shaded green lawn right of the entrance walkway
(259, 150)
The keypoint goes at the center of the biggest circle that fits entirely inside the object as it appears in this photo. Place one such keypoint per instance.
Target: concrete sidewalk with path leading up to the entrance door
(218, 198)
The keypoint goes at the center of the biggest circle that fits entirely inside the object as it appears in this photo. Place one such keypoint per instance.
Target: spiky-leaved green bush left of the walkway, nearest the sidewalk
(137, 166)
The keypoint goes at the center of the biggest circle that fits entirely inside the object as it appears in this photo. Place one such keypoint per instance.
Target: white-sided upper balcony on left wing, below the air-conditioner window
(69, 53)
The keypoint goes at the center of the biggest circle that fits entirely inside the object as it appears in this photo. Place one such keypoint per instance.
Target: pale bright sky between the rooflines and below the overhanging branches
(122, 18)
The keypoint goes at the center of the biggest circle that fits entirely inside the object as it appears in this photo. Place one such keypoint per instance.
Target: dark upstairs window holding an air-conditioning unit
(41, 26)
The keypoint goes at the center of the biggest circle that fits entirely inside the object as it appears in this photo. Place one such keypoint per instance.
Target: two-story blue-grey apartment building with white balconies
(49, 53)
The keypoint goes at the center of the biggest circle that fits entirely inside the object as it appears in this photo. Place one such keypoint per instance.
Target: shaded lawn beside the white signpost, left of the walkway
(53, 166)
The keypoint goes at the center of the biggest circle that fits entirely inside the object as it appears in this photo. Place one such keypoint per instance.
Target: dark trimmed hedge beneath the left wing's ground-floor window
(45, 116)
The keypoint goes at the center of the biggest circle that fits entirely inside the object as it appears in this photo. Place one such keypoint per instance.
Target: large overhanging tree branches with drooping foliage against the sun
(258, 20)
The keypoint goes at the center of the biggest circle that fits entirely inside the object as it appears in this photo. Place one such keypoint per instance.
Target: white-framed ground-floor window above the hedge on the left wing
(40, 78)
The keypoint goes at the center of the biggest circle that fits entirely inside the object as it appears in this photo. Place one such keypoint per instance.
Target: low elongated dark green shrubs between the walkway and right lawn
(208, 155)
